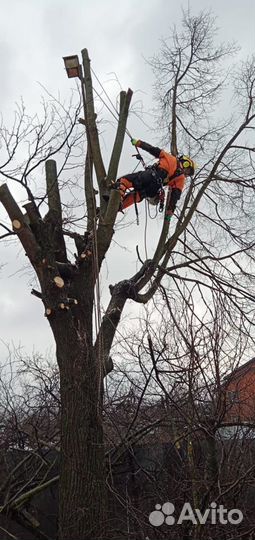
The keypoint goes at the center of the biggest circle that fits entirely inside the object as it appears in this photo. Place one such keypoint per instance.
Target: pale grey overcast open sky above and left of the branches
(34, 36)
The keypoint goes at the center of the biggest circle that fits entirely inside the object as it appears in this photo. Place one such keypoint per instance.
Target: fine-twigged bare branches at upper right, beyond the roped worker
(212, 246)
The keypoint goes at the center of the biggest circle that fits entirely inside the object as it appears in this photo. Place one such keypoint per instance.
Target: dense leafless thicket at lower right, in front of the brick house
(195, 453)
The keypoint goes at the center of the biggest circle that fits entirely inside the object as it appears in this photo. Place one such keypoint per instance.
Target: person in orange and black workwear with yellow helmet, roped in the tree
(168, 171)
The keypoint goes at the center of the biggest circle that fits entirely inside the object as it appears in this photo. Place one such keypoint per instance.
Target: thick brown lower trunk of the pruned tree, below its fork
(82, 478)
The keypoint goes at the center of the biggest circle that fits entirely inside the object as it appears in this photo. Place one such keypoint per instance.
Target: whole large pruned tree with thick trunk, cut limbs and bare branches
(210, 242)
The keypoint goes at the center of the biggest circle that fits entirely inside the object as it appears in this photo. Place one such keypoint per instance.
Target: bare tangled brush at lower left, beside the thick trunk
(30, 432)
